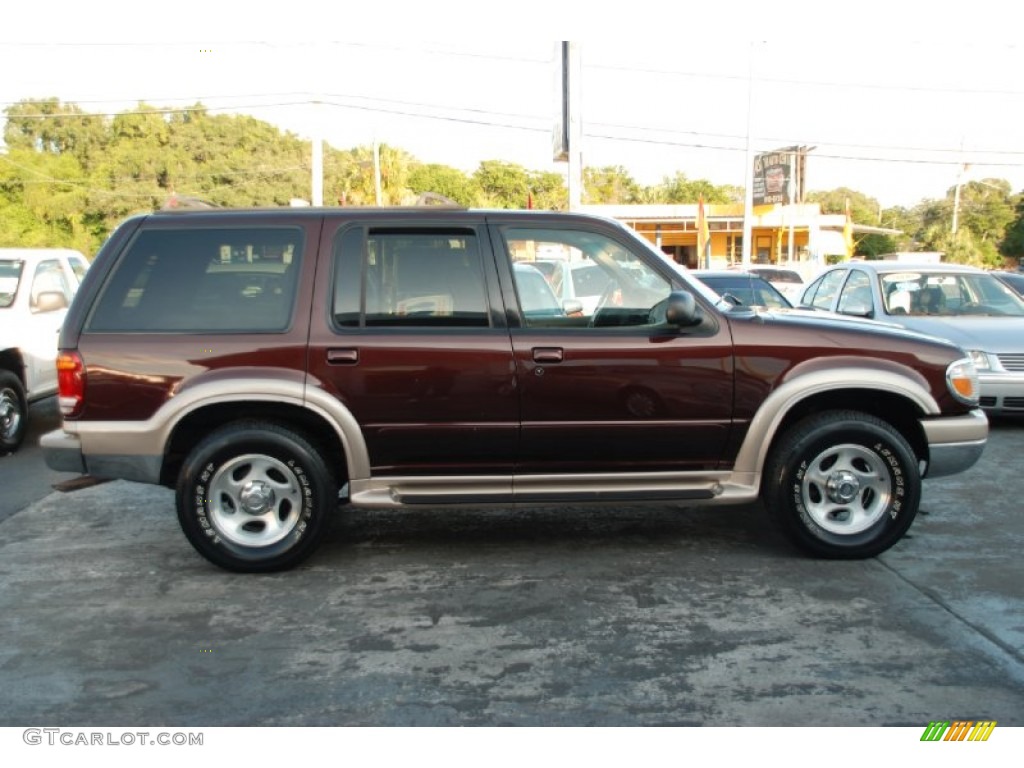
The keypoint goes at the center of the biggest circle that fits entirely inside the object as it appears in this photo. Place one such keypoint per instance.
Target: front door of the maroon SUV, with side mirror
(620, 391)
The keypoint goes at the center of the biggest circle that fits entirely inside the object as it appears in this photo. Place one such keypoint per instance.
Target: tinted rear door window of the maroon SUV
(409, 279)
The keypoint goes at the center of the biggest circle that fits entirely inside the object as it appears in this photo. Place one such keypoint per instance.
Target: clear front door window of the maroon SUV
(611, 285)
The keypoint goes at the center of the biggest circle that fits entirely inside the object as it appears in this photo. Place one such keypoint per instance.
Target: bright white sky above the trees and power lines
(899, 100)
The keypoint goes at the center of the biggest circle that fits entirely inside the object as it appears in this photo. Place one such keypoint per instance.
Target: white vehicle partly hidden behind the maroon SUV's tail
(36, 287)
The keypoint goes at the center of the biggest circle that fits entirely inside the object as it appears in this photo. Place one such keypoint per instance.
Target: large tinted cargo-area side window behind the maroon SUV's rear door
(203, 281)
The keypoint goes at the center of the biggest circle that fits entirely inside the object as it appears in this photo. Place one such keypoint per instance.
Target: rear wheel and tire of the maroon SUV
(254, 497)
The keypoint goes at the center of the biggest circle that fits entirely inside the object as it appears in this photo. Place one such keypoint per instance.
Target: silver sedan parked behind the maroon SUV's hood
(969, 307)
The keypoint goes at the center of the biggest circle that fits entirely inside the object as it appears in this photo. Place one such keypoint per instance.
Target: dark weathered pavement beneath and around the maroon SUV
(629, 617)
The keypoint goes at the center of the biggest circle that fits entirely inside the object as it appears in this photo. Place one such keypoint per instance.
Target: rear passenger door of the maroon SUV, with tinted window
(407, 334)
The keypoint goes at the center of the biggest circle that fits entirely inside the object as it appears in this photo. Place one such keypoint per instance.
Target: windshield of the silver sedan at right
(949, 294)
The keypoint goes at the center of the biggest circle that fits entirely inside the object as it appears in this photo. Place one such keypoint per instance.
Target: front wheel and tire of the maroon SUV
(843, 485)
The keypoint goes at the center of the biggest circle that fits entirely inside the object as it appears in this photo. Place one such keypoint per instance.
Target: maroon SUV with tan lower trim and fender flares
(269, 364)
